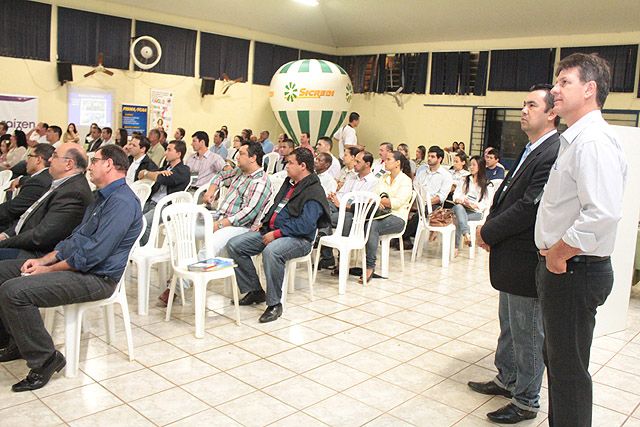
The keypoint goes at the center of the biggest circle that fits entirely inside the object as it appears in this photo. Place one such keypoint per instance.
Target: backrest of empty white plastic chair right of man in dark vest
(364, 205)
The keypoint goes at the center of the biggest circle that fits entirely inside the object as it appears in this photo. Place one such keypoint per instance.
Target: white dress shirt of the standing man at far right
(582, 201)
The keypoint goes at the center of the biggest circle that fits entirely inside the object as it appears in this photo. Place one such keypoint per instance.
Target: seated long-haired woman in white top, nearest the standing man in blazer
(471, 199)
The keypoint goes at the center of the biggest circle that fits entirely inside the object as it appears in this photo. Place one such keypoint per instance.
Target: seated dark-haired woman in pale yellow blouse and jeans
(395, 190)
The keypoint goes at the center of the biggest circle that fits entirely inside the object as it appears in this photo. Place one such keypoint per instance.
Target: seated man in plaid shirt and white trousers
(248, 196)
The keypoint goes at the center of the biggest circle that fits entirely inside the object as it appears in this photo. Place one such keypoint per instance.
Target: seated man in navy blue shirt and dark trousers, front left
(86, 266)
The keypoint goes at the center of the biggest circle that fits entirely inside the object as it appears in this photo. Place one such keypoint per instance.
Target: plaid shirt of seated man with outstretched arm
(247, 197)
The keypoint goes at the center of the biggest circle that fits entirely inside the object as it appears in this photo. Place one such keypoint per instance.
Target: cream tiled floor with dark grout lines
(398, 352)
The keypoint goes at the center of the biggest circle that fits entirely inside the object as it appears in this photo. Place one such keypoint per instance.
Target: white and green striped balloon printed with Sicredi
(310, 95)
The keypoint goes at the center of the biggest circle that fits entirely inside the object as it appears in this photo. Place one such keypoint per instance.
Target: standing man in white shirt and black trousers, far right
(575, 232)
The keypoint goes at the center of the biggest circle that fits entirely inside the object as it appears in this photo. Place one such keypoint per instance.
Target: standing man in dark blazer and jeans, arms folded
(508, 234)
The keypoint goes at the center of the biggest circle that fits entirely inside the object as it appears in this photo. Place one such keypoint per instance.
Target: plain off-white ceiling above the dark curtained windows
(353, 23)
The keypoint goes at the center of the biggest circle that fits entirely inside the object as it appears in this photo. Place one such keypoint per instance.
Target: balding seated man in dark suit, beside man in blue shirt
(56, 213)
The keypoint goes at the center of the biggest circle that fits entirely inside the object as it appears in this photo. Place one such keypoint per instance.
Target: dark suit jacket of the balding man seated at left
(53, 219)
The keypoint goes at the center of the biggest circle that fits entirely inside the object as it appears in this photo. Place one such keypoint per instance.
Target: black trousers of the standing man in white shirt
(569, 302)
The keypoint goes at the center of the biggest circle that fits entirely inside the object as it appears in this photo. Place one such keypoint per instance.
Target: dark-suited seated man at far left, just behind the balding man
(31, 187)
